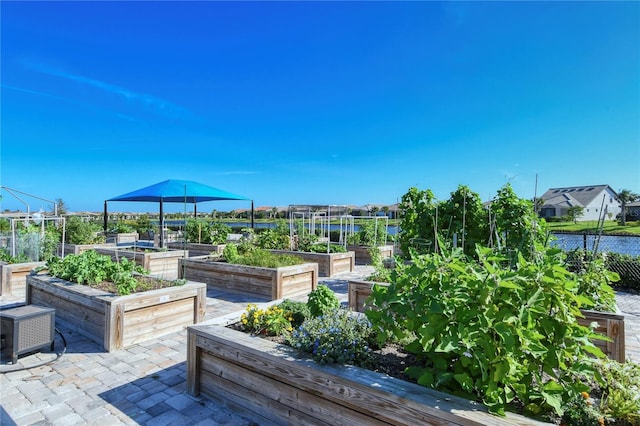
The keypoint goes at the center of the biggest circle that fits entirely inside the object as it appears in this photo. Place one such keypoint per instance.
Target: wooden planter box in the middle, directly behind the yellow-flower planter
(271, 283)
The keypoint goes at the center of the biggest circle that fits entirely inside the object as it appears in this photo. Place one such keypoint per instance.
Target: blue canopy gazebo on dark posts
(176, 191)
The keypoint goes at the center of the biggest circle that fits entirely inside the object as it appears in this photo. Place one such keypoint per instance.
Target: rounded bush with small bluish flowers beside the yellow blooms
(338, 337)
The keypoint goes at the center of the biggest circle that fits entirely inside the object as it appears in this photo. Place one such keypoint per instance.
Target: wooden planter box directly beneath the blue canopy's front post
(160, 263)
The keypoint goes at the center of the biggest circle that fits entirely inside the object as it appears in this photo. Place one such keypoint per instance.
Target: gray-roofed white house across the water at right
(593, 199)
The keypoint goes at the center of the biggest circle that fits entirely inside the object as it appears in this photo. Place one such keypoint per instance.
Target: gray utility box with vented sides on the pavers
(26, 329)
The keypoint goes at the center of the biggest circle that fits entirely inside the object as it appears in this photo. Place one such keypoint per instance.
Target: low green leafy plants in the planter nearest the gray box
(91, 268)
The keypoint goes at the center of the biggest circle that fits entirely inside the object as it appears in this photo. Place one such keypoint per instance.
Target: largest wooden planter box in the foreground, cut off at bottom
(266, 382)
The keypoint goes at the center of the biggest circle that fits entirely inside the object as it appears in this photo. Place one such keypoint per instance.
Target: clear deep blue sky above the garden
(316, 102)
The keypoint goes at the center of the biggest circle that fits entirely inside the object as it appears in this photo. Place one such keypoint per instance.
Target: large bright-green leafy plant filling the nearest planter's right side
(486, 330)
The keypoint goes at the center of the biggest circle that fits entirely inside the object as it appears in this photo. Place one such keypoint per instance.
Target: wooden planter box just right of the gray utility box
(115, 321)
